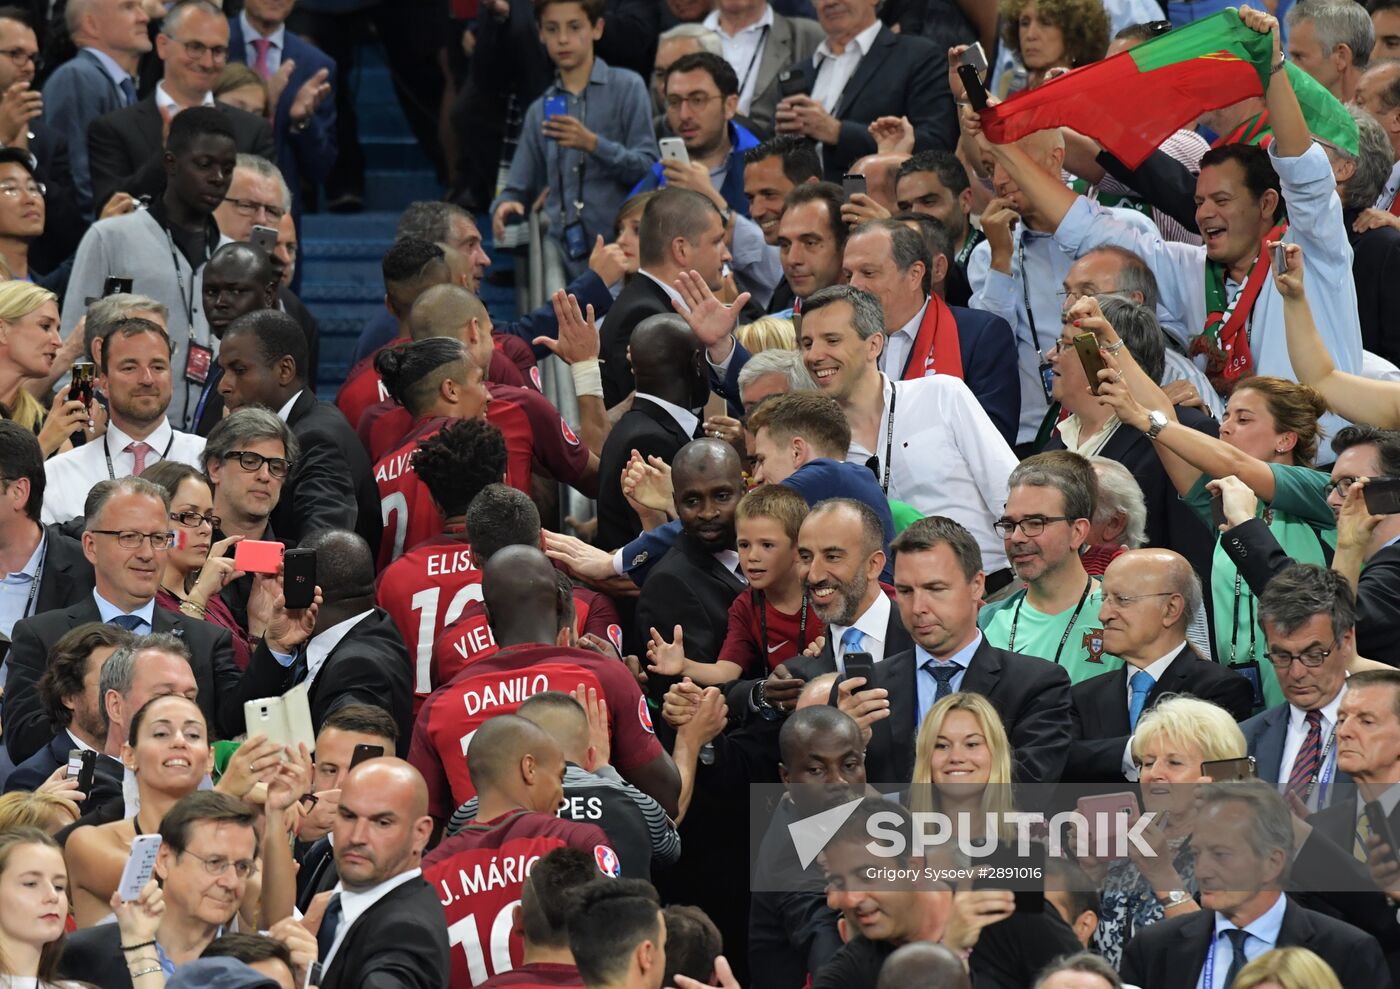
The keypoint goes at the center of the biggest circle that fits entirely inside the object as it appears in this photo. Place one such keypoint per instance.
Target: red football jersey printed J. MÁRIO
(479, 875)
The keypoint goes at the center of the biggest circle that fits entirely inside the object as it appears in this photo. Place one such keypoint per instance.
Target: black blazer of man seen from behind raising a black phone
(370, 666)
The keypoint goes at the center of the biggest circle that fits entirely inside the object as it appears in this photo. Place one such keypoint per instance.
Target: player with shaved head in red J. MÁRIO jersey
(481, 872)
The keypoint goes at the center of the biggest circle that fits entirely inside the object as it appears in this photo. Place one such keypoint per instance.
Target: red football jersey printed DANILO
(499, 686)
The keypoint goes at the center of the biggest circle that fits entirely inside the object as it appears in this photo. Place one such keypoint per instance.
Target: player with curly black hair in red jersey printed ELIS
(429, 586)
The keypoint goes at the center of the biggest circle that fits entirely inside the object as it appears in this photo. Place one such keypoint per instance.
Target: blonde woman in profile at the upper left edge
(30, 348)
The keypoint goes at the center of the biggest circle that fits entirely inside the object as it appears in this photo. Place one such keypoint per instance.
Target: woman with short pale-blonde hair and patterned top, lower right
(1170, 746)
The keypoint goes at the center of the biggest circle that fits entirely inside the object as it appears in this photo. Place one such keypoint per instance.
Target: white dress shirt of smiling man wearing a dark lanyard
(948, 459)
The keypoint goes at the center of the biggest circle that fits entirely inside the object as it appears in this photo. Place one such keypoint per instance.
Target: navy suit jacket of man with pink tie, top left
(307, 155)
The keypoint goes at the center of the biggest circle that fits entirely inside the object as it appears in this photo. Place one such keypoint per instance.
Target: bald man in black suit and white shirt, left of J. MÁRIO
(384, 924)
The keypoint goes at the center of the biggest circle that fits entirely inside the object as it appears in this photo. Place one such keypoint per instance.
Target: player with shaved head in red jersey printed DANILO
(530, 618)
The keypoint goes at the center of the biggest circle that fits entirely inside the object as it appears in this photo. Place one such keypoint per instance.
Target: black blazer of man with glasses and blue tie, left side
(27, 726)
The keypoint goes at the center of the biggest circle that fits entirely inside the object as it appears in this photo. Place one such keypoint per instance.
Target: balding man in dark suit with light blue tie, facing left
(1149, 599)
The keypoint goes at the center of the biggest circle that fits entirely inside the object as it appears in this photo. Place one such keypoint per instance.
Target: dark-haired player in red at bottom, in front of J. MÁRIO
(542, 921)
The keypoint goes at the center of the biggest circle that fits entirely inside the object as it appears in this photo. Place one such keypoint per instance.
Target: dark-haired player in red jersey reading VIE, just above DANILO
(502, 518)
